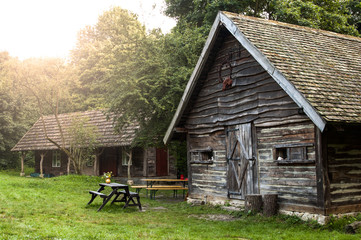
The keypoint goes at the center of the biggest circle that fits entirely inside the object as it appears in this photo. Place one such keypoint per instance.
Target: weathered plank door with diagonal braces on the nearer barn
(241, 162)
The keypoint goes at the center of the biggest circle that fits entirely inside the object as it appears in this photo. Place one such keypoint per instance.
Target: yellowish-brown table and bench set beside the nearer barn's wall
(171, 185)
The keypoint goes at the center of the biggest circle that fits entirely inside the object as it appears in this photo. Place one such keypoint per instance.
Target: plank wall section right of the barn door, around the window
(295, 183)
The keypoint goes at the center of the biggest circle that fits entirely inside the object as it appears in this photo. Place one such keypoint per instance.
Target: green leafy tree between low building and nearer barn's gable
(150, 92)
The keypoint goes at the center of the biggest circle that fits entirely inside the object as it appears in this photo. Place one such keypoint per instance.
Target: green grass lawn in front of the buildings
(56, 208)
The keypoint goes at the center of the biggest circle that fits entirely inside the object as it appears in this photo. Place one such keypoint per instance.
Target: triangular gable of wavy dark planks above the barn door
(255, 96)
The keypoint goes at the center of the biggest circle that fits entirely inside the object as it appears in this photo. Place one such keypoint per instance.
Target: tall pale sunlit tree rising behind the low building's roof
(102, 53)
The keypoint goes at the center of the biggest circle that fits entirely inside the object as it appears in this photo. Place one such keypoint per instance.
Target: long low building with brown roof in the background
(110, 154)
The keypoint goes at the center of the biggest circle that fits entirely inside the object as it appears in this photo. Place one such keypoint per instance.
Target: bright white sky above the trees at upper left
(48, 28)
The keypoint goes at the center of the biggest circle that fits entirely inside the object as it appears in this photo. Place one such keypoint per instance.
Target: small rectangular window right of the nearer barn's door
(292, 153)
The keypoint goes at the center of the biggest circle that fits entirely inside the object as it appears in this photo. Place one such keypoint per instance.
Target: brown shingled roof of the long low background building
(35, 139)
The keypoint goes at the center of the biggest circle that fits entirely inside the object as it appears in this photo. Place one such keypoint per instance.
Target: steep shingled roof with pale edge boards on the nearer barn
(320, 70)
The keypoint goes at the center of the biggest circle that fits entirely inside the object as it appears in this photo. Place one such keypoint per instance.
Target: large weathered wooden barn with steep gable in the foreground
(274, 108)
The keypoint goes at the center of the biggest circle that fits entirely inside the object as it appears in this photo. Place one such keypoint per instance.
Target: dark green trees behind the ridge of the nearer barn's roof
(338, 16)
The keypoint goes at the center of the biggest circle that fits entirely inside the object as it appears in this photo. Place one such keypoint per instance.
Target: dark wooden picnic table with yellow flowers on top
(117, 190)
